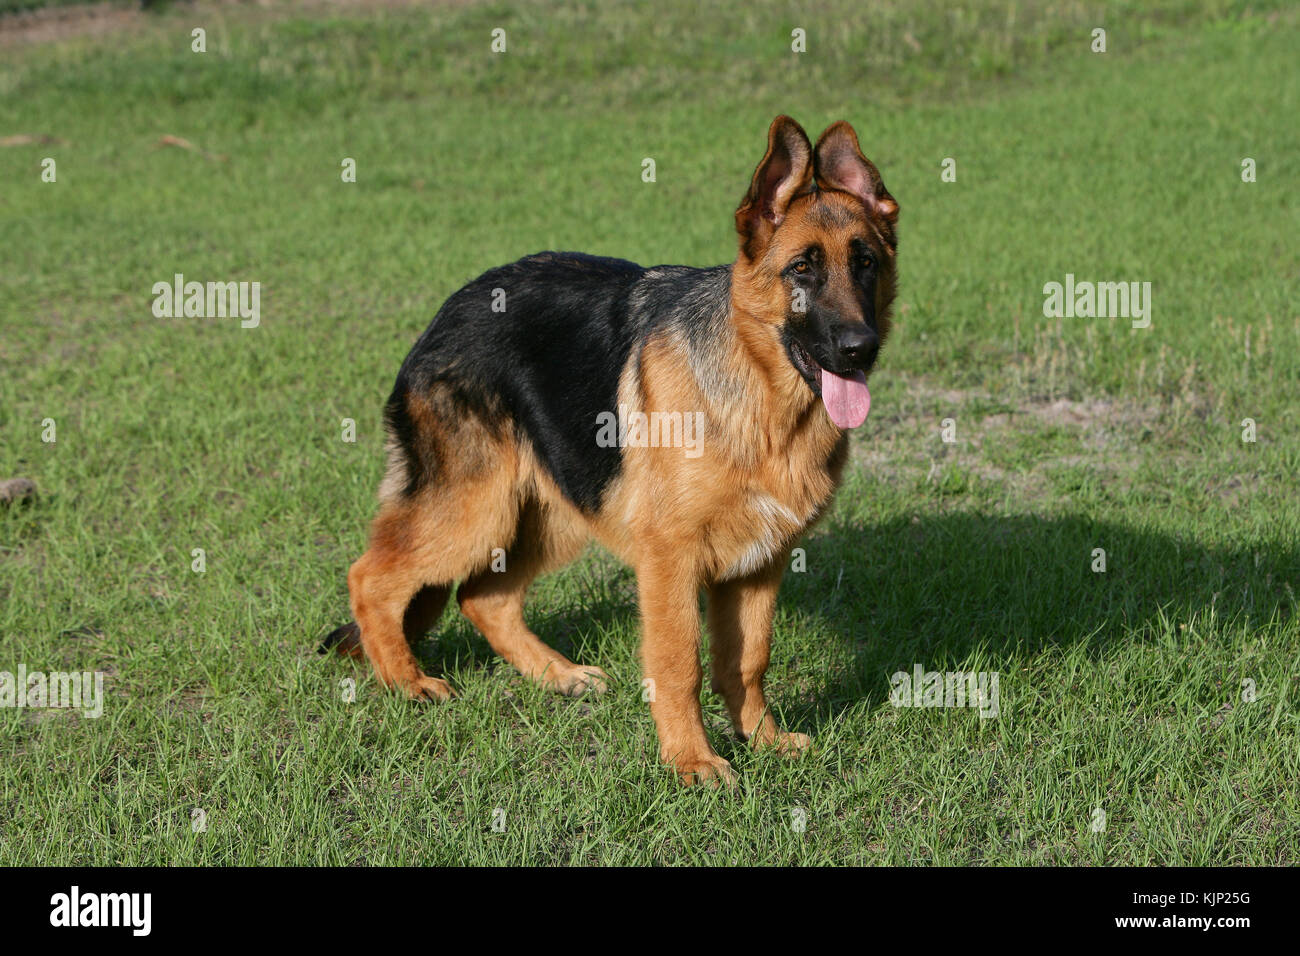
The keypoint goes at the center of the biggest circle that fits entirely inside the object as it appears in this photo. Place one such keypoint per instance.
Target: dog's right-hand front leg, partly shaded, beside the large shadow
(740, 641)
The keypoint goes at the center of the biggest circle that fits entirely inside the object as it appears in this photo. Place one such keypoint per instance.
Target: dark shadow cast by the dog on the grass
(943, 591)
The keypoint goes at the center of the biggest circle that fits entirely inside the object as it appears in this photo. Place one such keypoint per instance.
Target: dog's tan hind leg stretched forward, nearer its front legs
(493, 600)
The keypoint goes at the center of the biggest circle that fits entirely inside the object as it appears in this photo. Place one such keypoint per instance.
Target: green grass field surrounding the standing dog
(1163, 693)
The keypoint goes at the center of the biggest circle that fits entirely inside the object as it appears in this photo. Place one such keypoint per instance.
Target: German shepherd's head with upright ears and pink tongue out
(817, 259)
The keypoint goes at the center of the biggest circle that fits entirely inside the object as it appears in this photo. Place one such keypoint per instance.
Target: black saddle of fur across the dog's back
(552, 361)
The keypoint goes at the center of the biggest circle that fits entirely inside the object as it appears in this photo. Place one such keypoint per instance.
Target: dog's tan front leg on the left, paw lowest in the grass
(670, 651)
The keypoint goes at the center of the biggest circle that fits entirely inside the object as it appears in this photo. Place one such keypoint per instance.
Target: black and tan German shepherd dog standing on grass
(497, 471)
